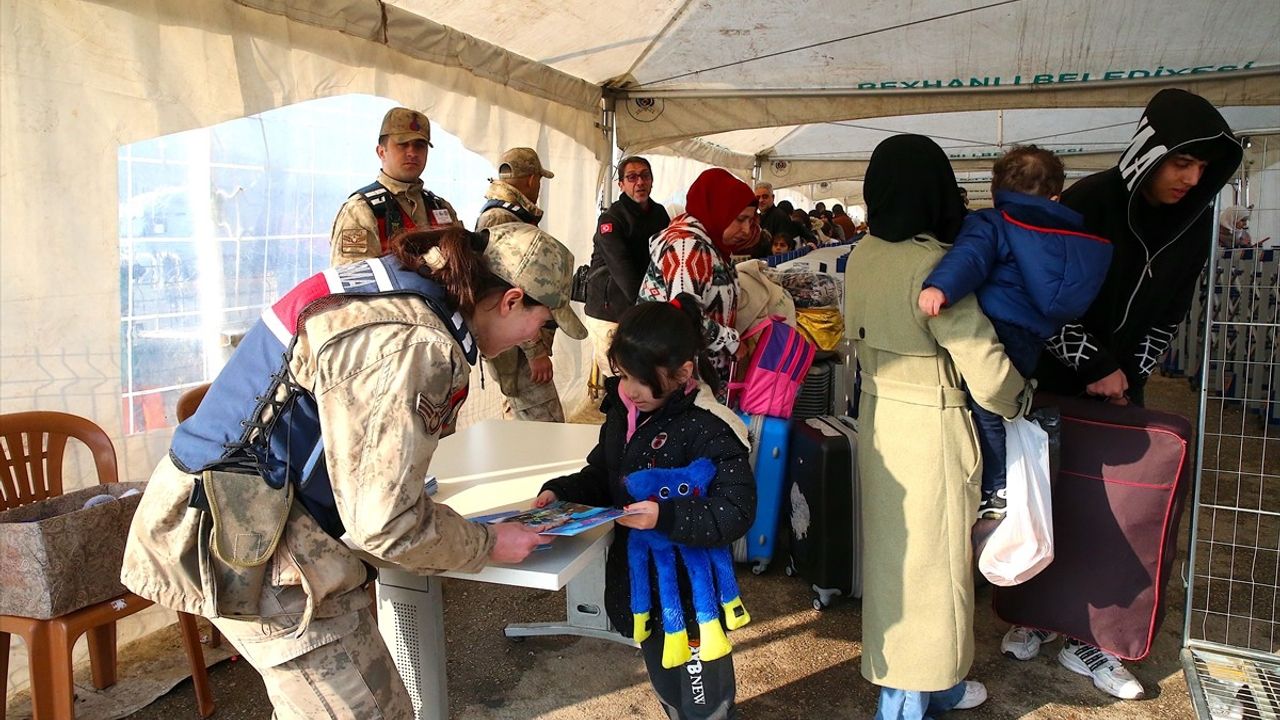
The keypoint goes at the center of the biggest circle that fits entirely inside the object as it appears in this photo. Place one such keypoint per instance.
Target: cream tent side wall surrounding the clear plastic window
(81, 79)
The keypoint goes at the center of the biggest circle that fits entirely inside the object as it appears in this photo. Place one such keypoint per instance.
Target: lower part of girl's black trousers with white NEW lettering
(694, 691)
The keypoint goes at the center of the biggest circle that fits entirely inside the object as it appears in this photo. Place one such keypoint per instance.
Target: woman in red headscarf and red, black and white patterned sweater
(693, 256)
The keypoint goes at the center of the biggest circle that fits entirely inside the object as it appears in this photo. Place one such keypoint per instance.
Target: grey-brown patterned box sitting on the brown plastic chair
(58, 557)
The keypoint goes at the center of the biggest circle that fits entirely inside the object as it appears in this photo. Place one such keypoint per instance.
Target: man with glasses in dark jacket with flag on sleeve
(620, 254)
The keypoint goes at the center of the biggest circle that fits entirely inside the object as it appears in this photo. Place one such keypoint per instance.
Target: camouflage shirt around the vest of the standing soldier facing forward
(355, 230)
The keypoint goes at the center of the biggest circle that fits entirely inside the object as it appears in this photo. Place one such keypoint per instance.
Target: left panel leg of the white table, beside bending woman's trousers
(412, 621)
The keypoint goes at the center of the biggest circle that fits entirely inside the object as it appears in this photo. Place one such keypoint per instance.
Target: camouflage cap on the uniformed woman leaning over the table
(538, 265)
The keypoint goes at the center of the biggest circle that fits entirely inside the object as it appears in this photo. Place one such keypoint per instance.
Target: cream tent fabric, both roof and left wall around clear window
(789, 89)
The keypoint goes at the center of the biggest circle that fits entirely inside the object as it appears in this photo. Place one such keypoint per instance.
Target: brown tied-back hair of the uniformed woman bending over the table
(464, 274)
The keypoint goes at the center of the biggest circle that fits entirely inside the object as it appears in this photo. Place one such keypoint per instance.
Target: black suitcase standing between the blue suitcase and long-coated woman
(824, 508)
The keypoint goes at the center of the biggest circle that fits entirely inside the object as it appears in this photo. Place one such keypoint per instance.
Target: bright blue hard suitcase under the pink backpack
(770, 439)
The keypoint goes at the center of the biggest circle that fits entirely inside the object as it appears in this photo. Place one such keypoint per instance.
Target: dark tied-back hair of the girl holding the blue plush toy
(662, 335)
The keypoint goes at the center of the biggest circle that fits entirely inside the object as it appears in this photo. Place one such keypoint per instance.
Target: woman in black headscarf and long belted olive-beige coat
(918, 458)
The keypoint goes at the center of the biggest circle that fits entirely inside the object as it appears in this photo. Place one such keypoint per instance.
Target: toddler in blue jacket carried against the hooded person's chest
(1034, 270)
